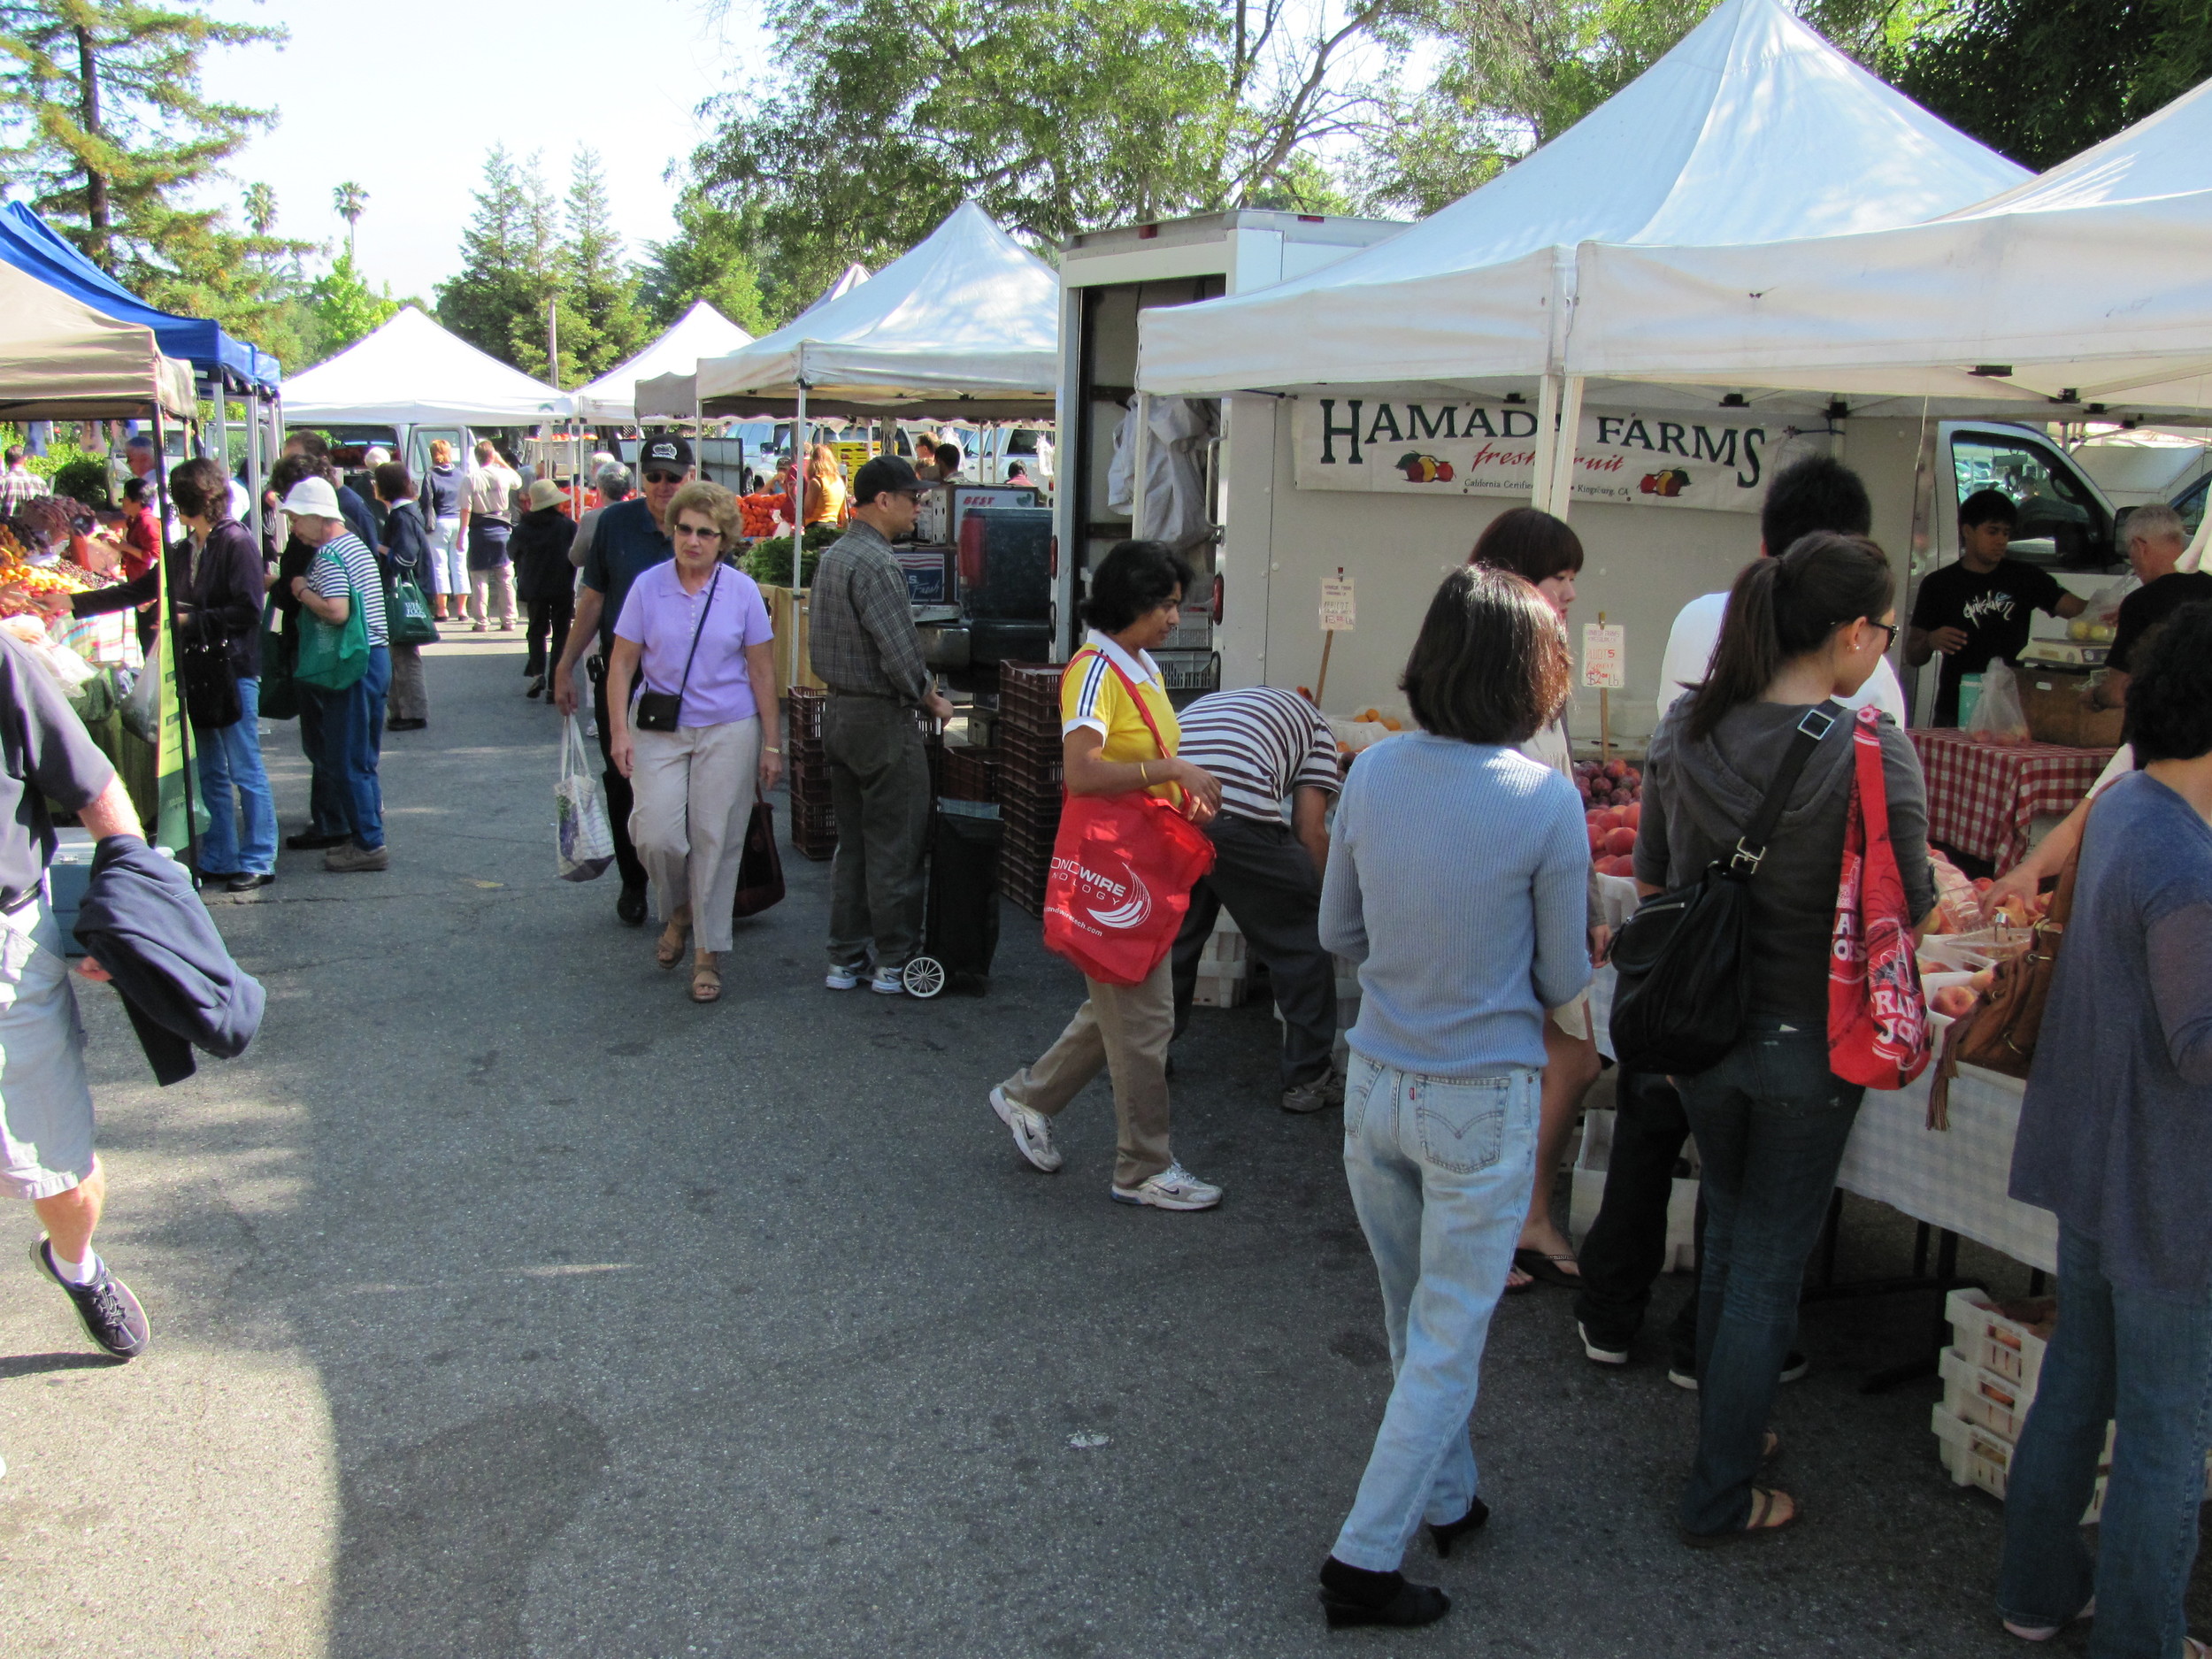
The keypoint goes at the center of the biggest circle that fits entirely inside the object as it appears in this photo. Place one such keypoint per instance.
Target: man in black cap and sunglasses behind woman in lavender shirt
(629, 541)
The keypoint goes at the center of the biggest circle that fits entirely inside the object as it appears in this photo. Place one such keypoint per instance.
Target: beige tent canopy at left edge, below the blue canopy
(65, 362)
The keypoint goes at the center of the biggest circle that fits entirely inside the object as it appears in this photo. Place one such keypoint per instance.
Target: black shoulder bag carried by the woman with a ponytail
(1684, 957)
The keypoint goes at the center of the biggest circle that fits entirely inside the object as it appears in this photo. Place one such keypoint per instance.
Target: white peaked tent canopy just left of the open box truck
(961, 326)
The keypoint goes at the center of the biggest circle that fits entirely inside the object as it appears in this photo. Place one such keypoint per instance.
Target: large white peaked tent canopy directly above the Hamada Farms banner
(1751, 129)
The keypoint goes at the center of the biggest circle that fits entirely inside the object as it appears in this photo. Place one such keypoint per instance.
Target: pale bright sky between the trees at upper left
(408, 96)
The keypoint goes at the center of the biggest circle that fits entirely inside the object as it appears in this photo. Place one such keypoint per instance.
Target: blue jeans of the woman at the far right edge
(2145, 1359)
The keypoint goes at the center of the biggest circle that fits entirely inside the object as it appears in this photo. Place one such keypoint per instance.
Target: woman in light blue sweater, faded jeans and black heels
(1459, 884)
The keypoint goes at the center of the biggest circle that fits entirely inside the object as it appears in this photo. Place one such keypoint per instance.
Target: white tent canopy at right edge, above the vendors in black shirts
(2085, 286)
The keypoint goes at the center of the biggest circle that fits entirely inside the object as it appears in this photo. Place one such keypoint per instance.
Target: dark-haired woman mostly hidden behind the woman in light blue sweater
(1547, 554)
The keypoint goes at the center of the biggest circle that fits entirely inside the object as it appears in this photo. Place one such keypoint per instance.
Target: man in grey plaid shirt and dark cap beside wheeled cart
(866, 651)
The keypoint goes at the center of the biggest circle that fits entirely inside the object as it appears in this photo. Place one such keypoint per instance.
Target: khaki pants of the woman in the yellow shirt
(1125, 1030)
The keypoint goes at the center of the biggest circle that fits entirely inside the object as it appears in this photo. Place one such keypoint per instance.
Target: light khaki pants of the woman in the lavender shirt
(693, 797)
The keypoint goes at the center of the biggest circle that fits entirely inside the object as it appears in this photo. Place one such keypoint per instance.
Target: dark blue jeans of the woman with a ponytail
(1771, 1123)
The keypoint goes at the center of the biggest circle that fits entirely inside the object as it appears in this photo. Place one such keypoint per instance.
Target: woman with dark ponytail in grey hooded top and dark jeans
(1771, 1118)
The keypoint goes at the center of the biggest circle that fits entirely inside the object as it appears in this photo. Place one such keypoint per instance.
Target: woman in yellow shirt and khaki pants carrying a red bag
(1112, 705)
